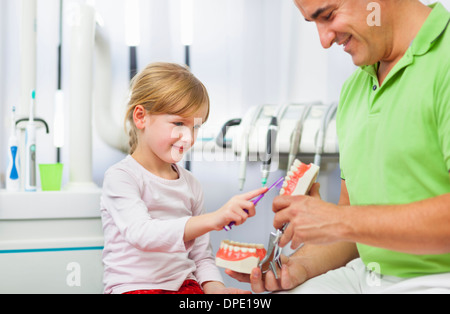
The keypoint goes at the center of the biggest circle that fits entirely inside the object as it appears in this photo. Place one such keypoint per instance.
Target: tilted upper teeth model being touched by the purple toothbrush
(299, 179)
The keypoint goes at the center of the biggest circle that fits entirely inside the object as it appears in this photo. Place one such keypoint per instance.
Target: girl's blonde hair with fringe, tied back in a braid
(164, 88)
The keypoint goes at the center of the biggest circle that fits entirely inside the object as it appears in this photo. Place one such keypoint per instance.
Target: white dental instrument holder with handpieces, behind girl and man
(298, 132)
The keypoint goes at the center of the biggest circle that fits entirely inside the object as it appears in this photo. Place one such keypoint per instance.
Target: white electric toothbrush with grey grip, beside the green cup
(30, 149)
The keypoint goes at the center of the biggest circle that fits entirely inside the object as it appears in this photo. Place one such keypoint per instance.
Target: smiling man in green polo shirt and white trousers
(390, 231)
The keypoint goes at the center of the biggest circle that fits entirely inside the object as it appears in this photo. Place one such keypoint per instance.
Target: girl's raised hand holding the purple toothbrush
(235, 210)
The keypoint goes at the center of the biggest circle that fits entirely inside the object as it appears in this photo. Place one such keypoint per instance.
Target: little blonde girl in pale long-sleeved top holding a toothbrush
(155, 227)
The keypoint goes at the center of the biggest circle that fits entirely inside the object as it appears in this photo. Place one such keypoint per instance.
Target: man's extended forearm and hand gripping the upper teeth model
(416, 228)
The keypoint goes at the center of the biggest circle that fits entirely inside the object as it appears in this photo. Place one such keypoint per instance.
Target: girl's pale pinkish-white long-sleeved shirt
(144, 218)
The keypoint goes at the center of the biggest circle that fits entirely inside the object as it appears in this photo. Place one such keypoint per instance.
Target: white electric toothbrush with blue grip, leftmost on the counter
(13, 180)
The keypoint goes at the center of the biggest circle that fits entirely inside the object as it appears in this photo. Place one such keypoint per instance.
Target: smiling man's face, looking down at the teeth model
(345, 22)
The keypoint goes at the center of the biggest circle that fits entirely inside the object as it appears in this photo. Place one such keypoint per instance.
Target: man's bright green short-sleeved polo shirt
(395, 139)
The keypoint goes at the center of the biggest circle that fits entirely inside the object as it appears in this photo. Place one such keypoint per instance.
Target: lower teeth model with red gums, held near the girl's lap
(239, 257)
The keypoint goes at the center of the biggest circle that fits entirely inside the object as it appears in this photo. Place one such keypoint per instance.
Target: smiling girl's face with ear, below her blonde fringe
(165, 137)
